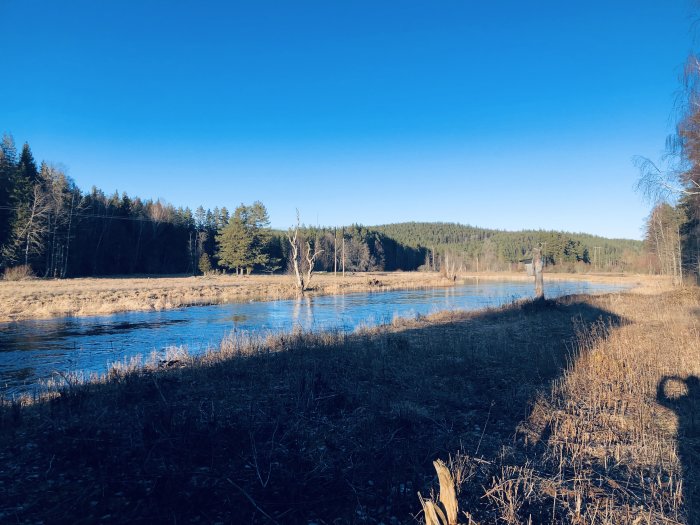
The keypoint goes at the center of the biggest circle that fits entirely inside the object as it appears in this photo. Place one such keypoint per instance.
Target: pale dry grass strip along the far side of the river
(41, 299)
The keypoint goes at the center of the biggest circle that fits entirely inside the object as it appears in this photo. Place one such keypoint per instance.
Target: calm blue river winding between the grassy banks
(34, 351)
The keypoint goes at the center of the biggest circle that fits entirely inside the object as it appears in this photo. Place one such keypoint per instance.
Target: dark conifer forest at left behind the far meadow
(50, 225)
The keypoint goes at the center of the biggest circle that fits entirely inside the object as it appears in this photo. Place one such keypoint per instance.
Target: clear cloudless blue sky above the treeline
(503, 114)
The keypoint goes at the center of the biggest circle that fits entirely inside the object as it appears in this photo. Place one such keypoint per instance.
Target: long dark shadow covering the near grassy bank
(326, 428)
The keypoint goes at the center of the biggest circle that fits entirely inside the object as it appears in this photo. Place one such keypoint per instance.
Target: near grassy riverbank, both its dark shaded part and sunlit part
(580, 410)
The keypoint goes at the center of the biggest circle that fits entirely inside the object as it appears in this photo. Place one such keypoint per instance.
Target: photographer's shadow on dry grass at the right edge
(683, 397)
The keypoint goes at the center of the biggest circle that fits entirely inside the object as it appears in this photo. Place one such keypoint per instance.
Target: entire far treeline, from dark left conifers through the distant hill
(58, 230)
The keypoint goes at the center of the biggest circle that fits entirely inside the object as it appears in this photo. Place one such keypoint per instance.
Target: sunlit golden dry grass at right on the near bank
(616, 438)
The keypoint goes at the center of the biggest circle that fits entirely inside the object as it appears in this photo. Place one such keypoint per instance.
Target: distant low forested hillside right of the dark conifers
(497, 250)
